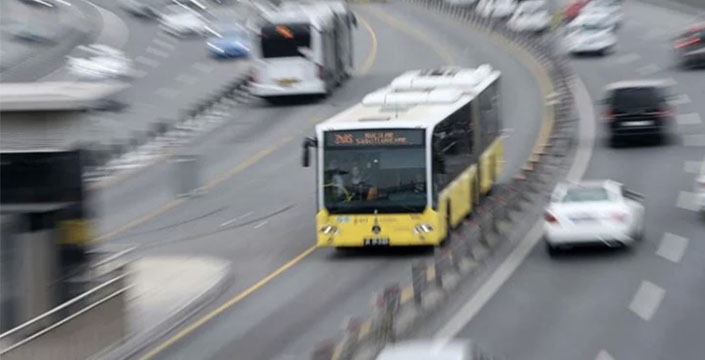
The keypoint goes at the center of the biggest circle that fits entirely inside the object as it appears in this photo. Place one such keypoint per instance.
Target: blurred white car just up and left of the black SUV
(590, 34)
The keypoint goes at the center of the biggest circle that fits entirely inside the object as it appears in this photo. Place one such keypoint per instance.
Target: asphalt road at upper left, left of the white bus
(173, 75)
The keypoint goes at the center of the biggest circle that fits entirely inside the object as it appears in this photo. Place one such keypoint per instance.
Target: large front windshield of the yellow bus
(375, 178)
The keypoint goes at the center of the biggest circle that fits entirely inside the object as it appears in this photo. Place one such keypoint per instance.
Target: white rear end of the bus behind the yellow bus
(289, 62)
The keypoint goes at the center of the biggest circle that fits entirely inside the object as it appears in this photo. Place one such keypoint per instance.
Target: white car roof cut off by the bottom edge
(433, 350)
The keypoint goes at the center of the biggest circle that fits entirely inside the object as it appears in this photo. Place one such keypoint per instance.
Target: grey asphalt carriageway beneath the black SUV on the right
(644, 303)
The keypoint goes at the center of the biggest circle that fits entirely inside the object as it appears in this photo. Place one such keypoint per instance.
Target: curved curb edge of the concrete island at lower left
(135, 343)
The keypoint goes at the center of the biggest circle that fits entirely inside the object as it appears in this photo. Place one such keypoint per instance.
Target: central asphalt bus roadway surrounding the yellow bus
(259, 211)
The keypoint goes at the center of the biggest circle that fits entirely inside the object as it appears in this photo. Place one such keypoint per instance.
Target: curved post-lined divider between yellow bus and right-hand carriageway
(398, 309)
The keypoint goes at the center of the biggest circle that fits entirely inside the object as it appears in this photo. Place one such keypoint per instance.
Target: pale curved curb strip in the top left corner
(45, 59)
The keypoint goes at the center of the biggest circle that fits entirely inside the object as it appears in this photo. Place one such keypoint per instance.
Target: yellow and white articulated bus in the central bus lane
(410, 161)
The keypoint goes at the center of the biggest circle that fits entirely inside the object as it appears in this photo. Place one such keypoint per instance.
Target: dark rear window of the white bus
(285, 40)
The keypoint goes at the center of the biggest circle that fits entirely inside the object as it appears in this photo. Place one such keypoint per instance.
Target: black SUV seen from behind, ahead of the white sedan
(635, 109)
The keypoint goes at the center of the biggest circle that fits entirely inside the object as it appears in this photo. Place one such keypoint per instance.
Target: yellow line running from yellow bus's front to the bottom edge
(198, 323)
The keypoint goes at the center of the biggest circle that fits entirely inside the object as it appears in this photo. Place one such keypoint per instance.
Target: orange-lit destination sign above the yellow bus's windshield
(382, 137)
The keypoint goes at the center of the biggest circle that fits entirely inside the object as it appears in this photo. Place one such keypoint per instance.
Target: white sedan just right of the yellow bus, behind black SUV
(591, 213)
